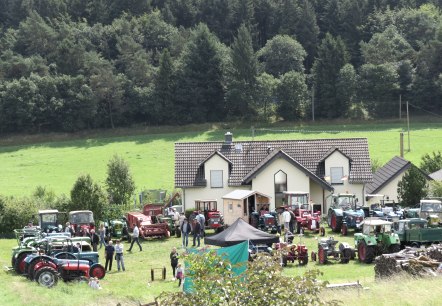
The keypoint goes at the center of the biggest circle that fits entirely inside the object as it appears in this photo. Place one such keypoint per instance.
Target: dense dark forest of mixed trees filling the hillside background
(70, 65)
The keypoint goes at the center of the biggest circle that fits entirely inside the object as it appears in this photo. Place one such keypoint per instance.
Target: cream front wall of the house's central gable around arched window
(296, 179)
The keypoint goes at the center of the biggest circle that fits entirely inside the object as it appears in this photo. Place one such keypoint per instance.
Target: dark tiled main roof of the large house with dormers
(189, 172)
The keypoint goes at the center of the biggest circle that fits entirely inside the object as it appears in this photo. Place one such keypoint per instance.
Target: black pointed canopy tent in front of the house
(238, 232)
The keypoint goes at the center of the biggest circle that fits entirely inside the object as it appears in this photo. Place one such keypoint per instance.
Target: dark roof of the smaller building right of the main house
(385, 174)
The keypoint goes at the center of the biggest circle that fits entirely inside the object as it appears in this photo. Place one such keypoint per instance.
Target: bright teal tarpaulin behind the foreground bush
(237, 255)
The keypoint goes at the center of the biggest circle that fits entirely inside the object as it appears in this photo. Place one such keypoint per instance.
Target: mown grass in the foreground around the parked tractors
(133, 287)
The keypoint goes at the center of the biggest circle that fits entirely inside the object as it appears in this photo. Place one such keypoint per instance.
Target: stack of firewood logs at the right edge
(414, 261)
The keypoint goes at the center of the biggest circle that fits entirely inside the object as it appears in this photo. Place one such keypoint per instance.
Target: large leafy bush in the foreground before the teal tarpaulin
(261, 284)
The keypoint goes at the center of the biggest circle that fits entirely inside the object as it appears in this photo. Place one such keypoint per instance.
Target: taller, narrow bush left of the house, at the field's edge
(119, 181)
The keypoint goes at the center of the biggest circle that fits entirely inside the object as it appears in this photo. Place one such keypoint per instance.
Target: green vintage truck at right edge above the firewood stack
(416, 232)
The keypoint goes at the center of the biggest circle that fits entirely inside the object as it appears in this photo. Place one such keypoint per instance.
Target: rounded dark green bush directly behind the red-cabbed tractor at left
(87, 195)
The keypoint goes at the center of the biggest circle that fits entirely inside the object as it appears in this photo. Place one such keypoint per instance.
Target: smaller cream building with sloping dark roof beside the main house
(386, 179)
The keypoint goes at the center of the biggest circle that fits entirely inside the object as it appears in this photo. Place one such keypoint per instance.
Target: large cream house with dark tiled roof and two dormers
(320, 167)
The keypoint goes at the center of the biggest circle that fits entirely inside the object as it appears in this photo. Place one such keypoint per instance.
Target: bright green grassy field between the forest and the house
(55, 161)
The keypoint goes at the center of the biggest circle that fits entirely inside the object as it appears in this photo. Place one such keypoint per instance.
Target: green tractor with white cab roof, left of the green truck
(376, 239)
